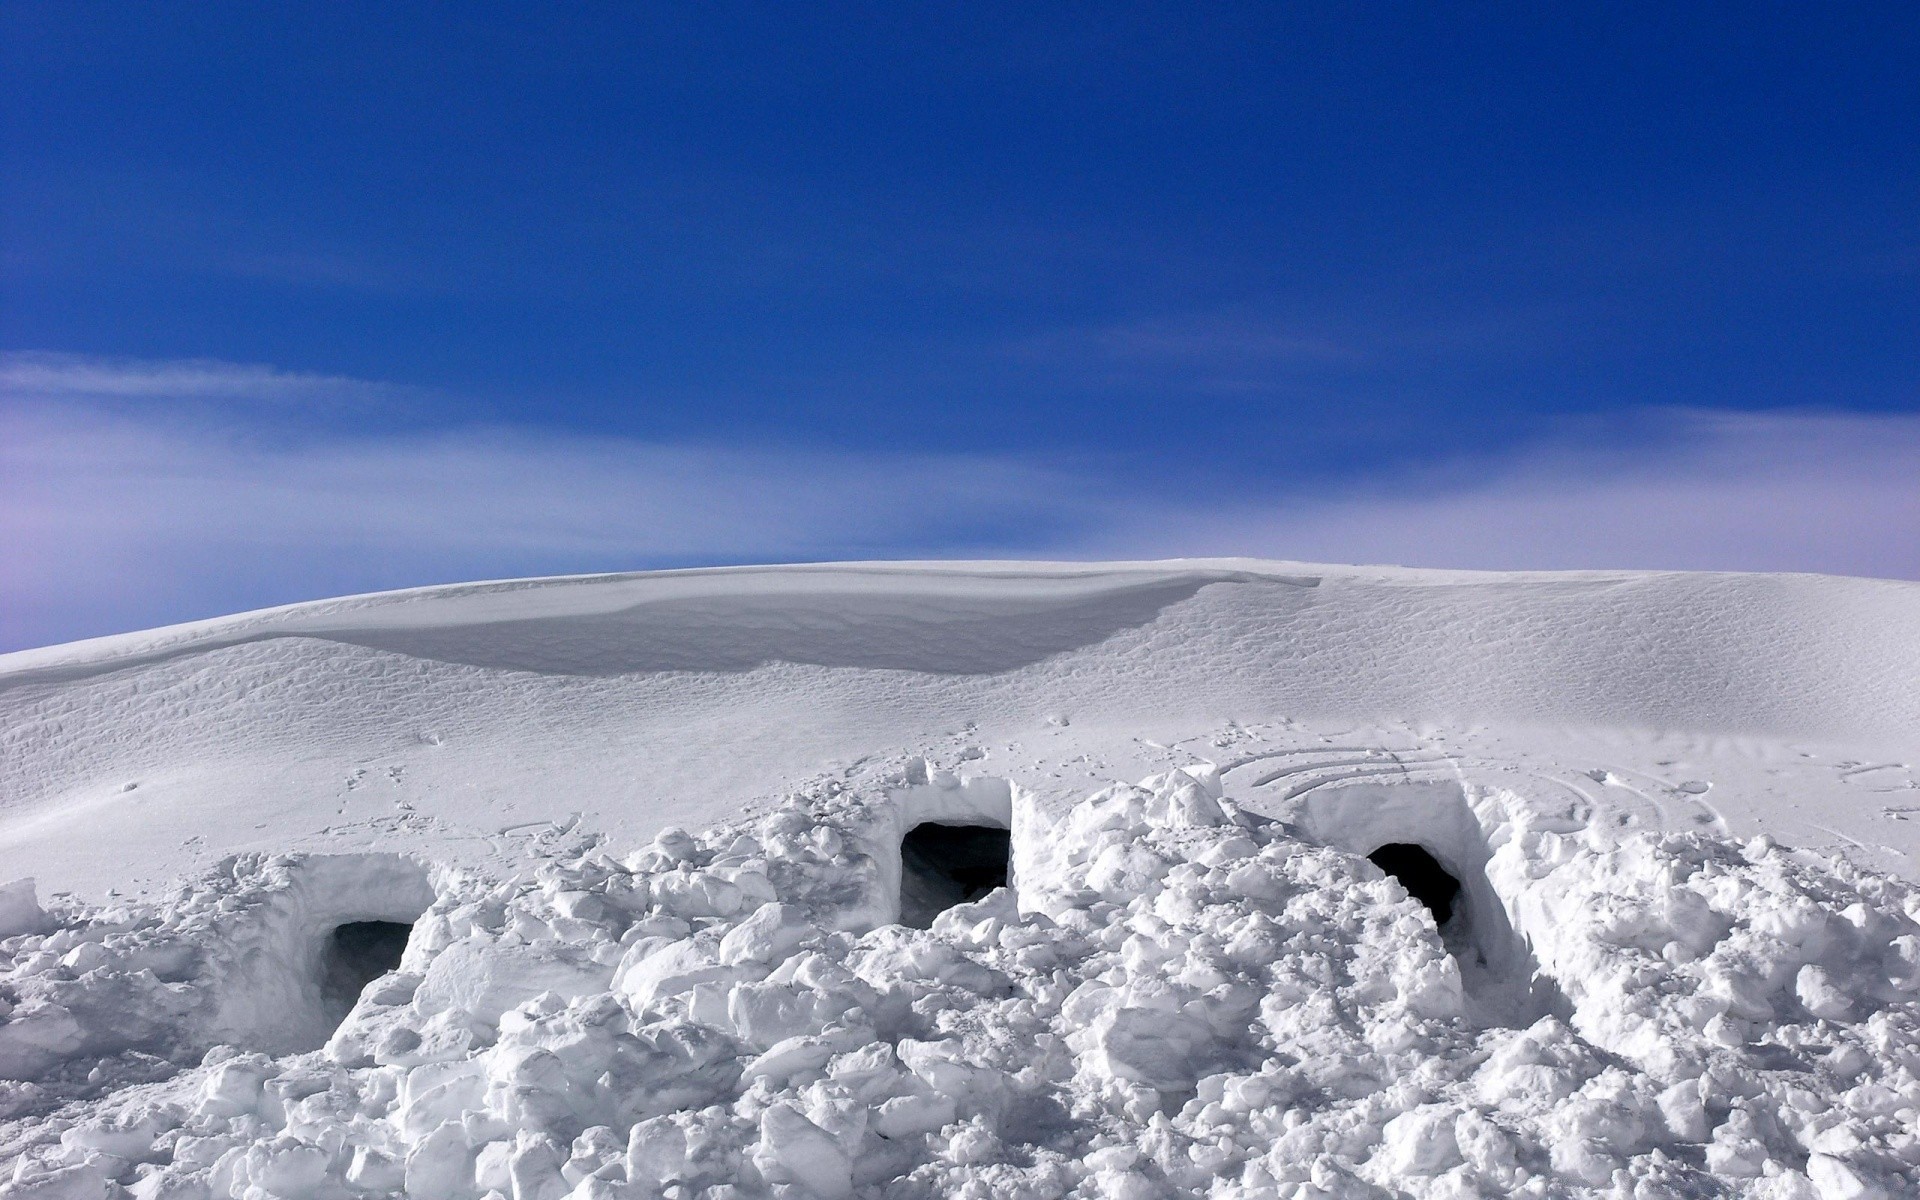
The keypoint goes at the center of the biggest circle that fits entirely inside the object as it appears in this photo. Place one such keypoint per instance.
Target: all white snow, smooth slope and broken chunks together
(648, 836)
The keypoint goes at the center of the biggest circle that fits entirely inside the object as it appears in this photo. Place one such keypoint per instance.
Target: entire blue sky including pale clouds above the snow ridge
(300, 300)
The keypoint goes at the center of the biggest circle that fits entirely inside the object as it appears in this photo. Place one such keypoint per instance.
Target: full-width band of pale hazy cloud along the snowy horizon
(124, 516)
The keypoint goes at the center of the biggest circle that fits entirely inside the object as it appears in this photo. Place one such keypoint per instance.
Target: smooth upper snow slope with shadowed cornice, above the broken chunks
(462, 719)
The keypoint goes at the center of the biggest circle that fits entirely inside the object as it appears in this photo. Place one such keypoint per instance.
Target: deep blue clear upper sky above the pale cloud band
(1320, 243)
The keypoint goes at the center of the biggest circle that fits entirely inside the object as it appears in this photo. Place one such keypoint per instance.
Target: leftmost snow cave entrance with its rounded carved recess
(300, 967)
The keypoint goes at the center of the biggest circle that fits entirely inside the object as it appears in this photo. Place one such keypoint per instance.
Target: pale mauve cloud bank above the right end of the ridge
(1679, 491)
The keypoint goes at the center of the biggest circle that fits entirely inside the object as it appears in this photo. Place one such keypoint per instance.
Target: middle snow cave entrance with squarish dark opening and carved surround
(951, 844)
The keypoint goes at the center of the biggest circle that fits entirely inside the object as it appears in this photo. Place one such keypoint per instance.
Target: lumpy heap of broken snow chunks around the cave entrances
(1174, 999)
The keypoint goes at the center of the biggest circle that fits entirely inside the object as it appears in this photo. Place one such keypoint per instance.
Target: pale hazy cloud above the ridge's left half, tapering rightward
(120, 519)
